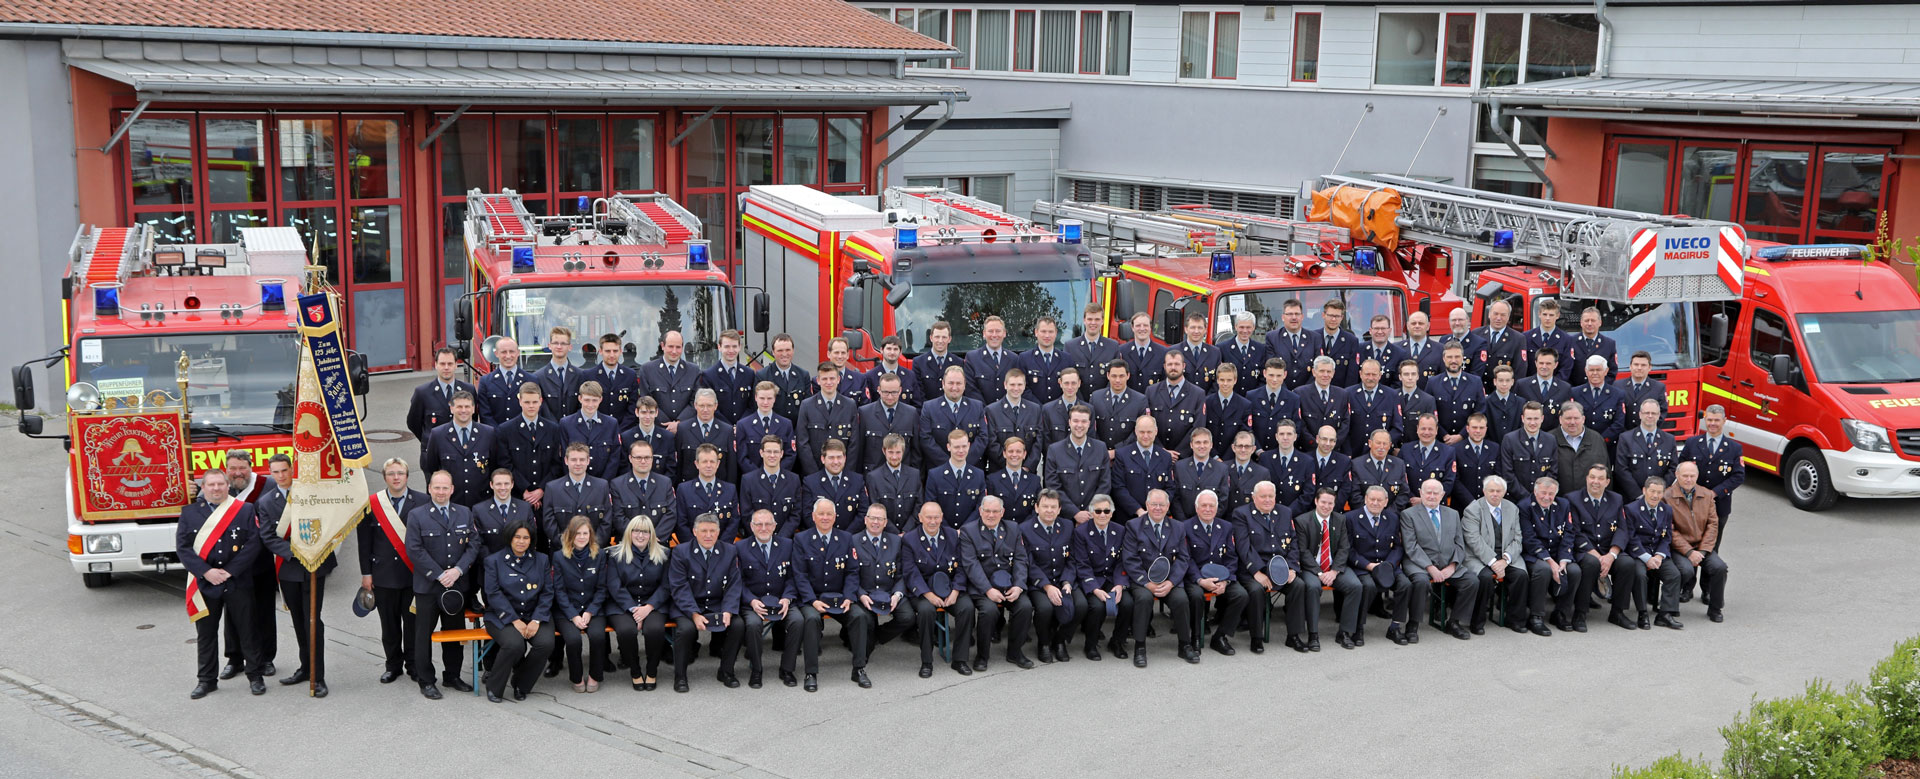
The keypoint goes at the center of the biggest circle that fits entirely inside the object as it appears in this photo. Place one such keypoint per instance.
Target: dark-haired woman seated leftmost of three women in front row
(519, 607)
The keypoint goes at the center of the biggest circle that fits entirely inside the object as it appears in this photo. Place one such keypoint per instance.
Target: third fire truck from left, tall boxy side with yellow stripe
(909, 258)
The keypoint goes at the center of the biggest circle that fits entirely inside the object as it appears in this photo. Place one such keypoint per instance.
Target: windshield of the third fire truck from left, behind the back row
(969, 306)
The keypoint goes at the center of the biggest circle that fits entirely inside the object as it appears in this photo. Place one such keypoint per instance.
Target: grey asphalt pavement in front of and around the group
(95, 682)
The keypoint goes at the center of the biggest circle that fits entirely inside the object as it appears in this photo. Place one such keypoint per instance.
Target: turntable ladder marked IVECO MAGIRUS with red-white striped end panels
(1604, 254)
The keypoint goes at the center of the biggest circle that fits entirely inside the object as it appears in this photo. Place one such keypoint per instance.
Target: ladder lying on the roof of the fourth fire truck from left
(1199, 229)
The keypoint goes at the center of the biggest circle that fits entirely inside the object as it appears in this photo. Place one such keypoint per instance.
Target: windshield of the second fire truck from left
(638, 314)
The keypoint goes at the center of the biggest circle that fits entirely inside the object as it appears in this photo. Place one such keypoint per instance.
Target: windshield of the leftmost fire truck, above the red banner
(235, 381)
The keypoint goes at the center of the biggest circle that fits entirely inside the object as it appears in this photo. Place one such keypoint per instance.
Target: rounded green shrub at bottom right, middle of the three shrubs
(1819, 736)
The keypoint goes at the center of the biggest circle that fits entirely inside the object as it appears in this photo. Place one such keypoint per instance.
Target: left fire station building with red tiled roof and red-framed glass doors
(366, 124)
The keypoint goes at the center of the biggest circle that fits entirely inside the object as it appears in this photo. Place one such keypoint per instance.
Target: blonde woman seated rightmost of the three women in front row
(636, 588)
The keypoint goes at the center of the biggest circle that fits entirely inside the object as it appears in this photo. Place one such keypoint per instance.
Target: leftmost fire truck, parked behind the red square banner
(143, 323)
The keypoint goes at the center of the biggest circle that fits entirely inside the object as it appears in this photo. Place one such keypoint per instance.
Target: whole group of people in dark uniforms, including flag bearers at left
(972, 500)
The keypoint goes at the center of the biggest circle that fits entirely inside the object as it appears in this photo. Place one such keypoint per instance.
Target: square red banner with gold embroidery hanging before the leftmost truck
(130, 465)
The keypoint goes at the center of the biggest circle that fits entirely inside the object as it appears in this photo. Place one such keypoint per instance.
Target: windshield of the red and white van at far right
(1863, 346)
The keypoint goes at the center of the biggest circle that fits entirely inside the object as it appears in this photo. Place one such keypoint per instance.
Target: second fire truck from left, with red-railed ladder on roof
(633, 266)
